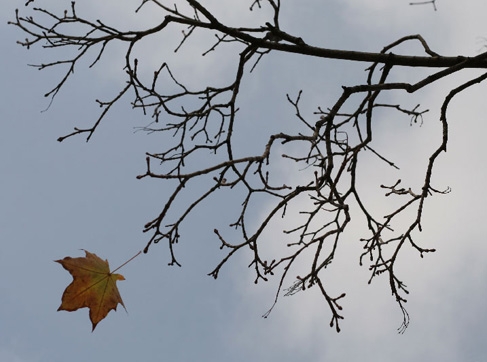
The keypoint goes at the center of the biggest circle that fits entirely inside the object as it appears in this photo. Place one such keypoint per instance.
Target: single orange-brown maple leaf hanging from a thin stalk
(93, 286)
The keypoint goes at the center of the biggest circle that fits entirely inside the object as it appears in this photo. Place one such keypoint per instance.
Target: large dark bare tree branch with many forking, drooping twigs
(202, 123)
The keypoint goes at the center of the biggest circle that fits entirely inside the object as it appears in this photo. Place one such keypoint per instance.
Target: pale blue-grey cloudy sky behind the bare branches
(58, 198)
